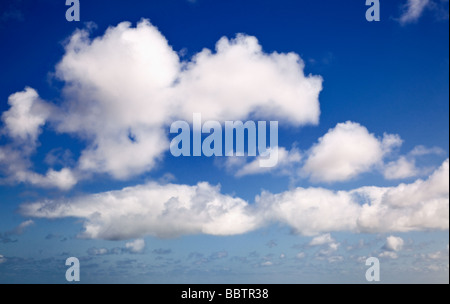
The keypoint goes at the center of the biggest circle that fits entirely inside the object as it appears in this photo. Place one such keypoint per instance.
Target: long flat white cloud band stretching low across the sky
(172, 210)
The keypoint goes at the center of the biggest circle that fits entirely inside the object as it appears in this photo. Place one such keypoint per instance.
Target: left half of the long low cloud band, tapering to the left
(152, 209)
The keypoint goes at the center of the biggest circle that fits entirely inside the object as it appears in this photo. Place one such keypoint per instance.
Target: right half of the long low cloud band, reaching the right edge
(422, 205)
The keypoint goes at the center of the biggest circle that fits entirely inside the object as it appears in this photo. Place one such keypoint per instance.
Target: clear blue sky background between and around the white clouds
(386, 76)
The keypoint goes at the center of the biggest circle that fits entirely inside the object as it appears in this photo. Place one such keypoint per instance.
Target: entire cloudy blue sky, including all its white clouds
(366, 176)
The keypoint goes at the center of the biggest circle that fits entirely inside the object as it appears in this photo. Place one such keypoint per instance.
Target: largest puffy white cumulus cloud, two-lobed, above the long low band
(125, 87)
